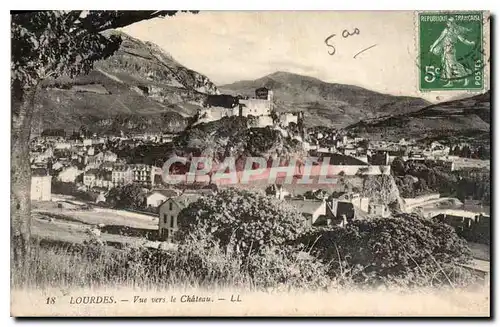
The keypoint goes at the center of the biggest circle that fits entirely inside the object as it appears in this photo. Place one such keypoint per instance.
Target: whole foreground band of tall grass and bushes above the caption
(247, 240)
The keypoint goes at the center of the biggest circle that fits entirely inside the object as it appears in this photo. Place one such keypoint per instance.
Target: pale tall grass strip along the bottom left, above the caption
(191, 266)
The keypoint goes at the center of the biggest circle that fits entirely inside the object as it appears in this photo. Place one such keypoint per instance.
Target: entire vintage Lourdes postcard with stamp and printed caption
(250, 163)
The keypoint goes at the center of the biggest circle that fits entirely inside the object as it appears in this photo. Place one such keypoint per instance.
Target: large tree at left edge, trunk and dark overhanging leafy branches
(50, 44)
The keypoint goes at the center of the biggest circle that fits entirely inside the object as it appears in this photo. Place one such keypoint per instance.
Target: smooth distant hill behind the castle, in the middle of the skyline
(336, 105)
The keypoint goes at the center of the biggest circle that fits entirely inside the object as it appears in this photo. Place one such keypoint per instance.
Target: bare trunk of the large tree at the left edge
(20, 202)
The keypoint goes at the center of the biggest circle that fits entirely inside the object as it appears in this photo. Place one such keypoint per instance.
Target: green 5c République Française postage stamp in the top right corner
(451, 51)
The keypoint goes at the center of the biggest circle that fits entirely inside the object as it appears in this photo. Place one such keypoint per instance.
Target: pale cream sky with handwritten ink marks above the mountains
(229, 46)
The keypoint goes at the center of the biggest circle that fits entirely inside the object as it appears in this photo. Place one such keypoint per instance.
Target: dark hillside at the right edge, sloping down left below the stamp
(463, 116)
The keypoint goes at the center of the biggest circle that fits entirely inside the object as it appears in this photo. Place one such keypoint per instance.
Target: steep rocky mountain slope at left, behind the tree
(140, 84)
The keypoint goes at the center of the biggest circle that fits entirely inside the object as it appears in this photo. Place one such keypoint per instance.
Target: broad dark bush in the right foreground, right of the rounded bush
(405, 247)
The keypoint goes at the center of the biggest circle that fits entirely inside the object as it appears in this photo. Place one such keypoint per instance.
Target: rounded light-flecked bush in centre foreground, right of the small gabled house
(240, 220)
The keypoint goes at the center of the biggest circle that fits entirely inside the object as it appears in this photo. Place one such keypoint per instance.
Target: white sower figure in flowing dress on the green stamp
(444, 46)
